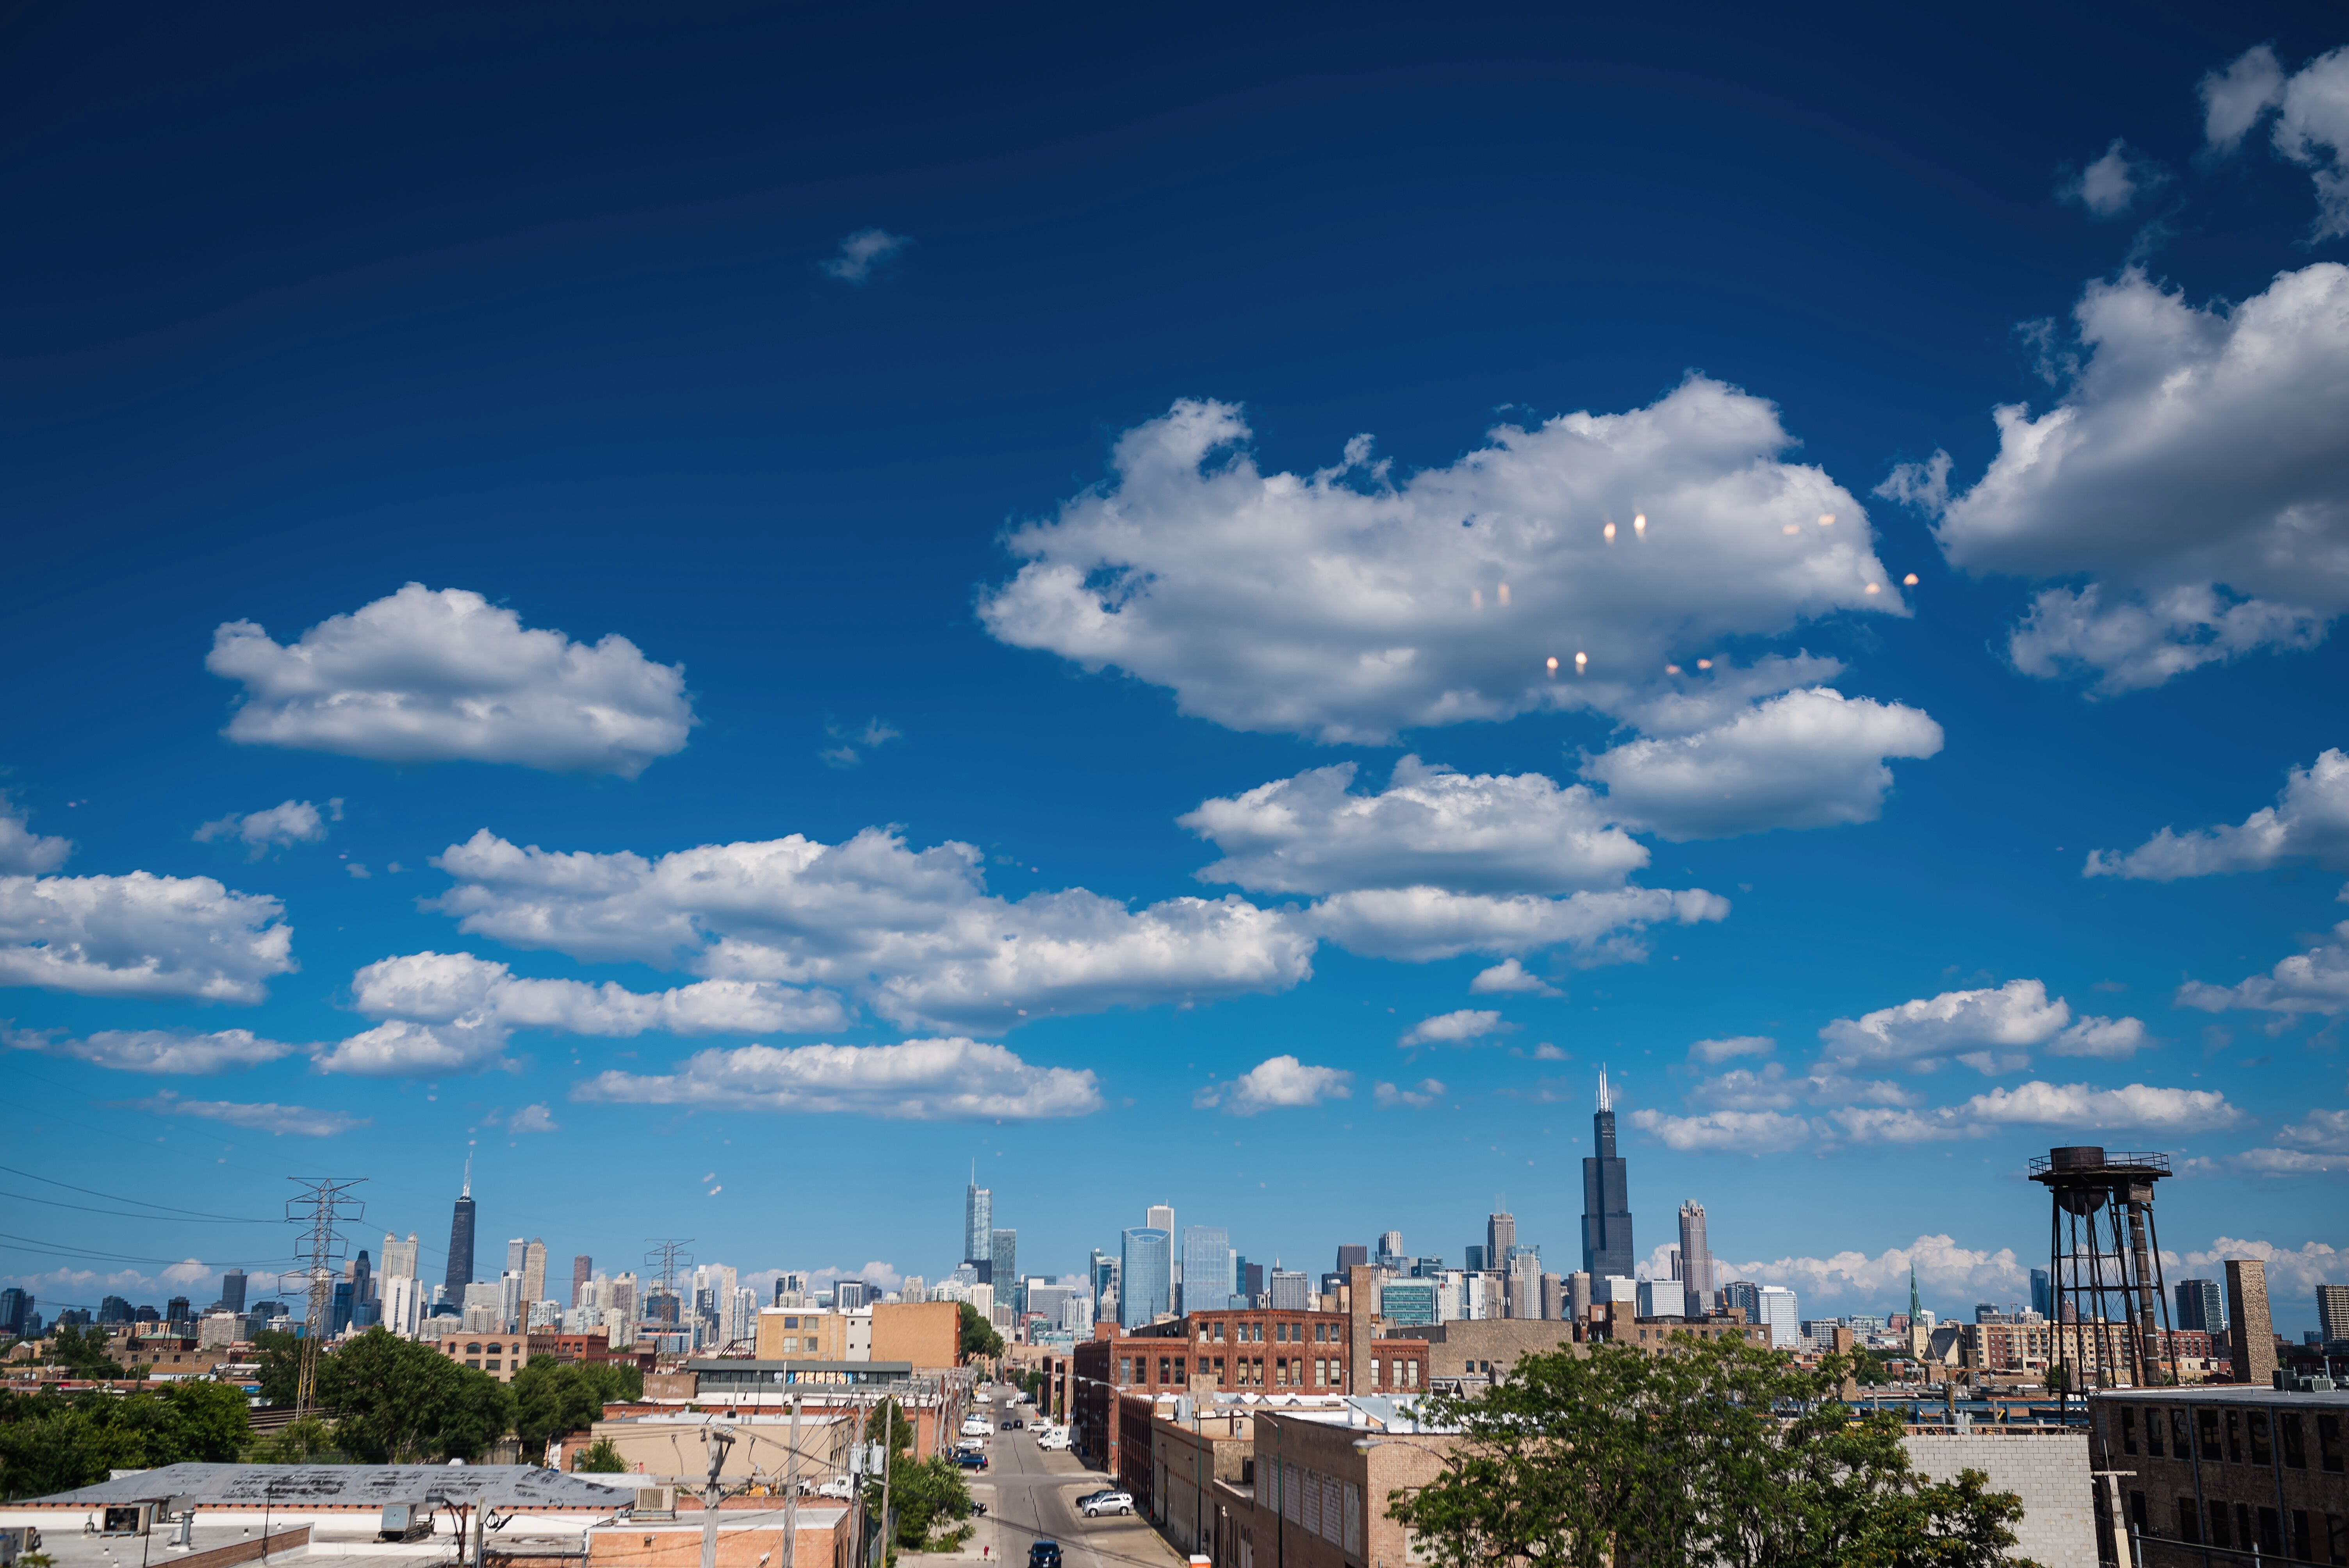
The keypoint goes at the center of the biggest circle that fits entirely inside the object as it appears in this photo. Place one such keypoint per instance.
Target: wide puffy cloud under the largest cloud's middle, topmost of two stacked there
(1429, 825)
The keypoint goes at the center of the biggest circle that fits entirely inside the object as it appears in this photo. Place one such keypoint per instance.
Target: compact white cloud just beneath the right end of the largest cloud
(1798, 762)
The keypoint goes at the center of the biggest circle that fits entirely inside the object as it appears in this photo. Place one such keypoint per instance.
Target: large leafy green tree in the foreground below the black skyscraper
(1714, 1452)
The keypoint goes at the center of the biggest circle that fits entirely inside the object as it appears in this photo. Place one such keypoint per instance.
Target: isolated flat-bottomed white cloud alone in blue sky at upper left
(424, 677)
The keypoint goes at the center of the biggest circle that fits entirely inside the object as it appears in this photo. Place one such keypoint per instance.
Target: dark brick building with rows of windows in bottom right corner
(2230, 1468)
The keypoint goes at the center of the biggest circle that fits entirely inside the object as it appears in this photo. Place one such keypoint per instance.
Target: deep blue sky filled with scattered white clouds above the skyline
(910, 525)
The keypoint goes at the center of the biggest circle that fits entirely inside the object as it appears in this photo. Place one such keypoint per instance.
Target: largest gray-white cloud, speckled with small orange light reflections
(1350, 607)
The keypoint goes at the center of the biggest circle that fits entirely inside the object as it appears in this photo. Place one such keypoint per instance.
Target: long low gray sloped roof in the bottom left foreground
(295, 1487)
